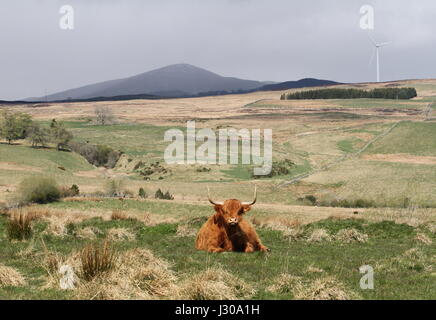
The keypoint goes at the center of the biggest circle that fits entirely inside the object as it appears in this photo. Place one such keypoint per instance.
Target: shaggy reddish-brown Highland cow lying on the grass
(227, 230)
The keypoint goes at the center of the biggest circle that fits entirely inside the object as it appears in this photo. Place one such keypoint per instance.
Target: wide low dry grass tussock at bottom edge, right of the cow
(324, 288)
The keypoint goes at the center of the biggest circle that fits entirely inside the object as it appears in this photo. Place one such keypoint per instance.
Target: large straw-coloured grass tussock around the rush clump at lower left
(137, 274)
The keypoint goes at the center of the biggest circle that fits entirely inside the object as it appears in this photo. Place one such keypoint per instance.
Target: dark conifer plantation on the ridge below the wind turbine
(336, 93)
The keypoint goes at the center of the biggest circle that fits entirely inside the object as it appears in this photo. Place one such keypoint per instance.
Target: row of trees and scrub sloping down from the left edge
(18, 126)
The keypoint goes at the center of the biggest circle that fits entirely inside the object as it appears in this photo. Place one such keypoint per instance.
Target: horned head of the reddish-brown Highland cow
(230, 212)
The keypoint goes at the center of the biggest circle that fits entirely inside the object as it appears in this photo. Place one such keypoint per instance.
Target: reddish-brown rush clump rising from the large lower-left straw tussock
(97, 259)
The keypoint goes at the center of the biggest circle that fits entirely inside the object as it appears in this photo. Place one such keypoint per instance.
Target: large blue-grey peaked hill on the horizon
(176, 80)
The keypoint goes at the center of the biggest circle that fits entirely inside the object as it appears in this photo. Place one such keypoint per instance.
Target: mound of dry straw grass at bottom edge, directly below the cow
(214, 284)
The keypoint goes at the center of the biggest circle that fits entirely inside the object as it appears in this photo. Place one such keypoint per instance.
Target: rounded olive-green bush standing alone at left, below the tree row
(38, 190)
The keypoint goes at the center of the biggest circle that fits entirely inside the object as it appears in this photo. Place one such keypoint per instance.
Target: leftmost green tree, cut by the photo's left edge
(14, 125)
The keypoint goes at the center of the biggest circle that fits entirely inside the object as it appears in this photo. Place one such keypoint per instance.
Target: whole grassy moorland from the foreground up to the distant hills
(378, 152)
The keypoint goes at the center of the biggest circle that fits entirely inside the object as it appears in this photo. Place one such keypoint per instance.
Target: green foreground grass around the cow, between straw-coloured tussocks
(397, 276)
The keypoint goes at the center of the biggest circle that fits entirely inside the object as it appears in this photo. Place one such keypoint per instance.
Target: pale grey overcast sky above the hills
(275, 40)
